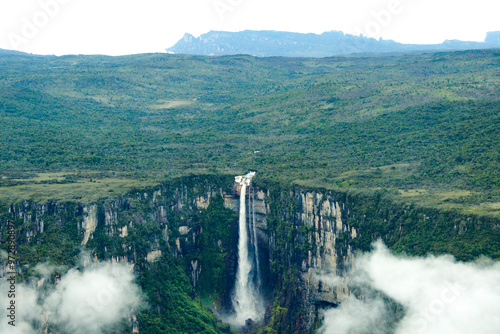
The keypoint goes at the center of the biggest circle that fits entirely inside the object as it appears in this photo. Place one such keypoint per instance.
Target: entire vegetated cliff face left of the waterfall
(175, 235)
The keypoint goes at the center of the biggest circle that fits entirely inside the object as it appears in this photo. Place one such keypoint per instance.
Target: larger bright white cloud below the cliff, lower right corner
(438, 294)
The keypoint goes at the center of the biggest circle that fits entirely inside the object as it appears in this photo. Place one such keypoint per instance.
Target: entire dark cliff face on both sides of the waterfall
(191, 225)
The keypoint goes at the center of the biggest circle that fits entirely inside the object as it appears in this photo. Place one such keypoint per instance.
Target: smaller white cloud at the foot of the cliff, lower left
(82, 302)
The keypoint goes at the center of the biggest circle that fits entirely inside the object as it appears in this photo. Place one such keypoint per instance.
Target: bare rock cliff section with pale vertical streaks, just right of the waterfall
(312, 222)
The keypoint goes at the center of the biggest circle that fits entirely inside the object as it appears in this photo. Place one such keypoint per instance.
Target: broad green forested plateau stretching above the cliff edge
(423, 126)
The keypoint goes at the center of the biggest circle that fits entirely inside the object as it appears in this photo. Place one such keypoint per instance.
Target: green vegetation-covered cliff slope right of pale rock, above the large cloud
(416, 231)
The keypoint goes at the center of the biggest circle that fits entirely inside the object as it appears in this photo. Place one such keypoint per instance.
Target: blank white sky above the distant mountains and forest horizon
(118, 27)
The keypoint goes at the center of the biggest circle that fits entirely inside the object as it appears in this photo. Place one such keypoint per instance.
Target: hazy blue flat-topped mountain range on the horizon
(288, 44)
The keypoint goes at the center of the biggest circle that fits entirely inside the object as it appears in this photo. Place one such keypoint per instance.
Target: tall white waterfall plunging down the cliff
(247, 301)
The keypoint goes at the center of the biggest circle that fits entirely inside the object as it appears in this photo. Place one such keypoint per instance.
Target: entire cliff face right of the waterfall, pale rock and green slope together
(313, 232)
